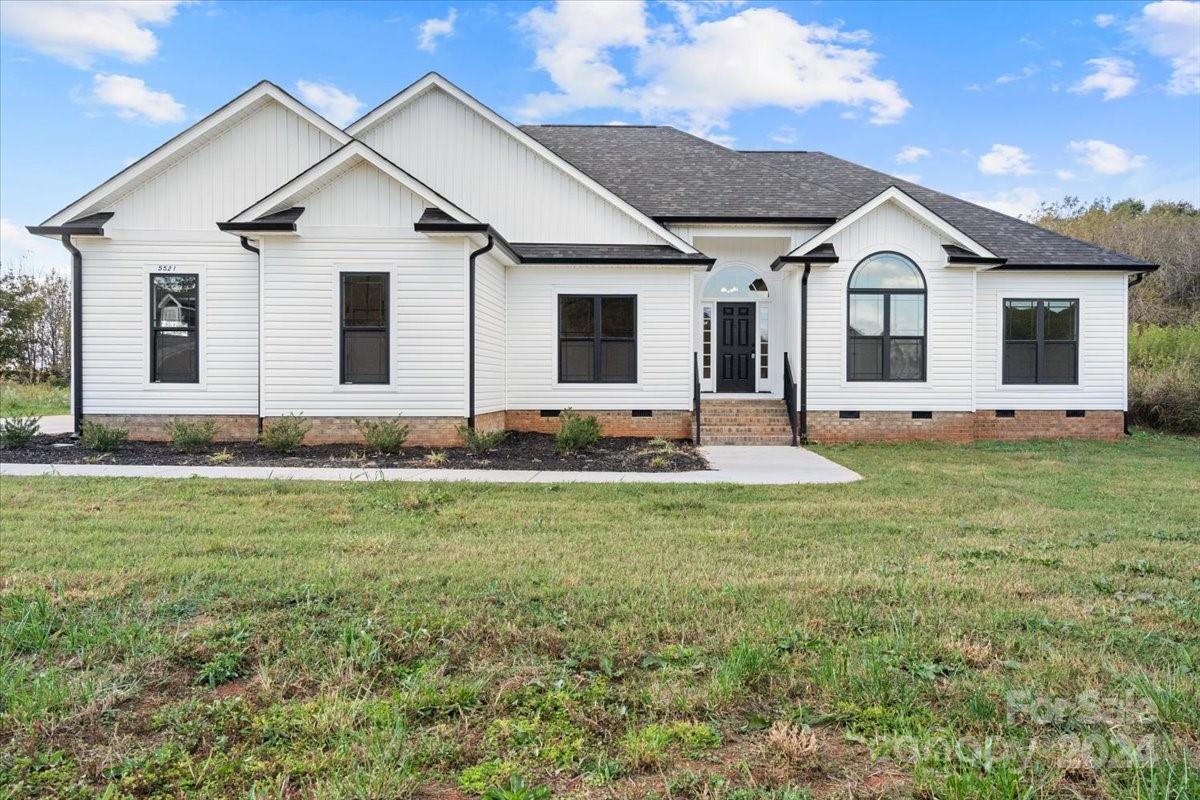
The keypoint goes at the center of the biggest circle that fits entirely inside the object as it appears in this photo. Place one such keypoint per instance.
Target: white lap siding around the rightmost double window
(1102, 340)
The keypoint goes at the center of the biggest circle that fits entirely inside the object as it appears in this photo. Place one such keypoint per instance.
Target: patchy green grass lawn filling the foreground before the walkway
(988, 622)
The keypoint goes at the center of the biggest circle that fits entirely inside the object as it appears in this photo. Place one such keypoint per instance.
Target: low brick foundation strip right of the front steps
(827, 428)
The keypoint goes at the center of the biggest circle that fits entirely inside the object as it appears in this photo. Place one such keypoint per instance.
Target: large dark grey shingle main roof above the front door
(669, 175)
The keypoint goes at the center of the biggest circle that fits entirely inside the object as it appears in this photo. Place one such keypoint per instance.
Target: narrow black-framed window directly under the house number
(175, 329)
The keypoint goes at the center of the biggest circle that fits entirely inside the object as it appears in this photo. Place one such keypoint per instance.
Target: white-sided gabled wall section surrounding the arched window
(950, 306)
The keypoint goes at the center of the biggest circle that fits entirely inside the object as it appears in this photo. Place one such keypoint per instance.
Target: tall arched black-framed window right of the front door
(886, 330)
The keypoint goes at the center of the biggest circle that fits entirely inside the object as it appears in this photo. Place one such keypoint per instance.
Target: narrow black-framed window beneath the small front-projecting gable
(364, 328)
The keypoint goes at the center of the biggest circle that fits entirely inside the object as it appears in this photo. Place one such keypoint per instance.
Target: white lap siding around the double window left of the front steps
(664, 338)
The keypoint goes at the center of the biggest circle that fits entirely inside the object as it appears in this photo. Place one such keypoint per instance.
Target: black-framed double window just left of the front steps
(597, 339)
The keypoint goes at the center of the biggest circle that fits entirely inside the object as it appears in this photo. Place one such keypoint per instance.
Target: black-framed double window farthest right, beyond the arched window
(1041, 342)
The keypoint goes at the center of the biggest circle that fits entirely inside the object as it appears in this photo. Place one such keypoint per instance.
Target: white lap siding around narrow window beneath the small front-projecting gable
(301, 348)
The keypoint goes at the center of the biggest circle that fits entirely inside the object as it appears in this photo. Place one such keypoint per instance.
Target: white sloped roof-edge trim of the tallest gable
(436, 80)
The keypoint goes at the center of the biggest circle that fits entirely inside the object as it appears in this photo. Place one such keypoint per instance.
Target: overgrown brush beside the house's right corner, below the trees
(1165, 377)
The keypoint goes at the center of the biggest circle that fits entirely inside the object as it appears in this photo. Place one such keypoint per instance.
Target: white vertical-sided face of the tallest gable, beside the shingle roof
(497, 175)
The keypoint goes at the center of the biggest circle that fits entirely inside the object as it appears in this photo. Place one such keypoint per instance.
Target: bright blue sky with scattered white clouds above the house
(1010, 105)
